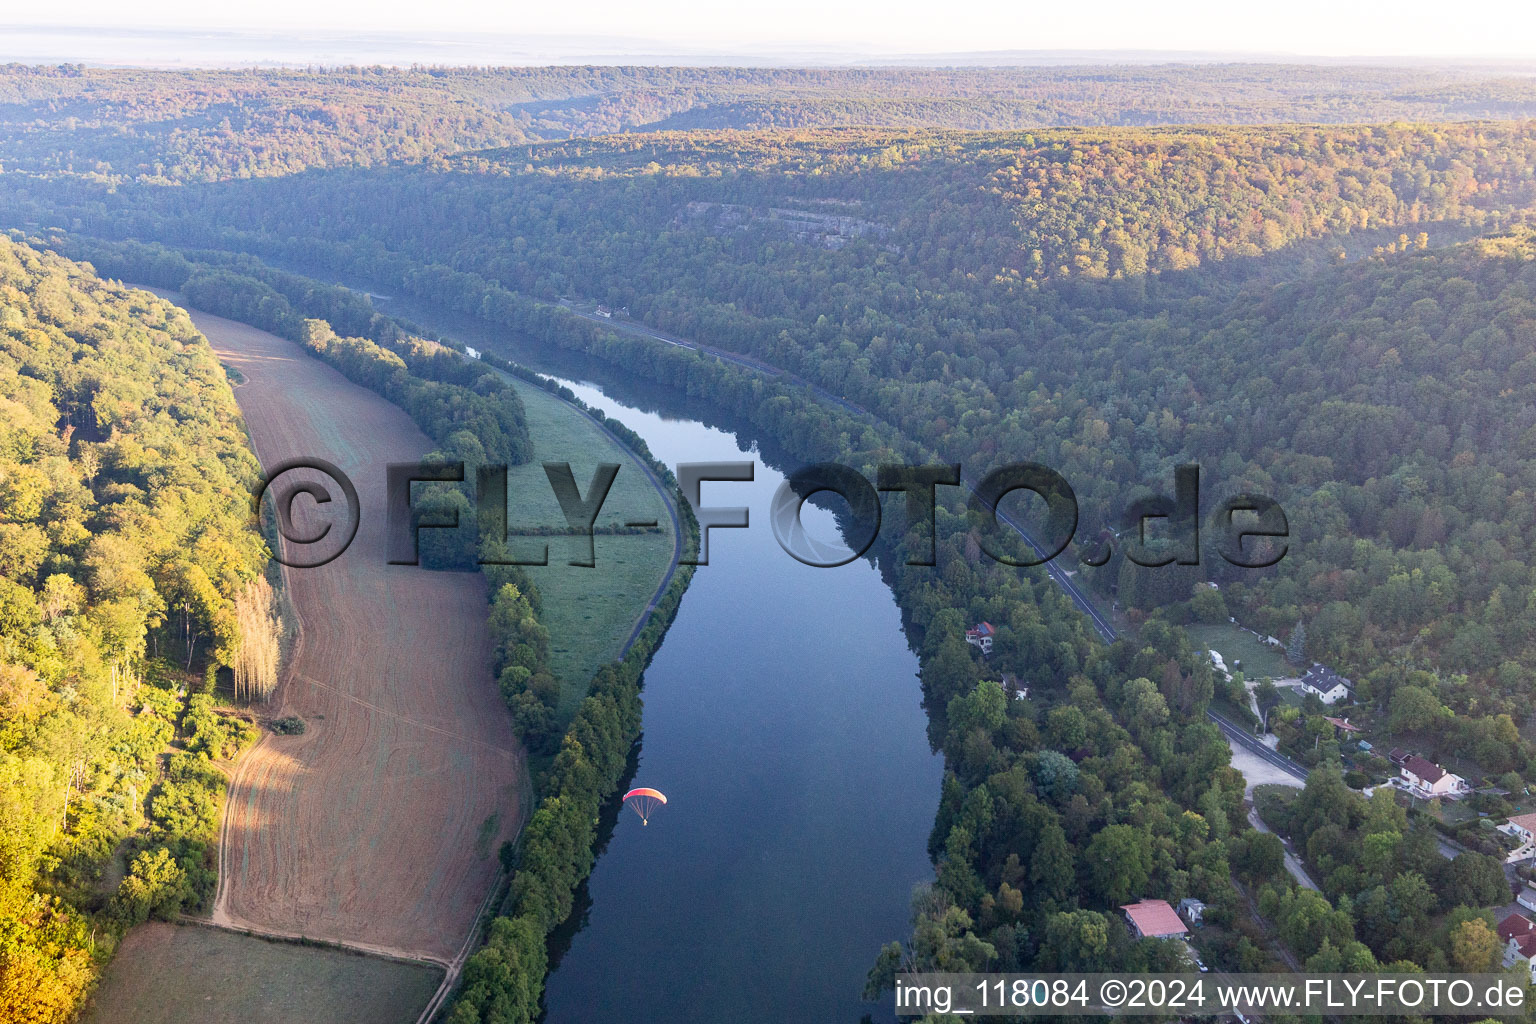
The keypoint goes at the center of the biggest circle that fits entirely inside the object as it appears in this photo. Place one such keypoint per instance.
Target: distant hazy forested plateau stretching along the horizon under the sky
(174, 127)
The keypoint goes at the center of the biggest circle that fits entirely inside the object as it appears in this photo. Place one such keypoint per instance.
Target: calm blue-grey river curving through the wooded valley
(784, 724)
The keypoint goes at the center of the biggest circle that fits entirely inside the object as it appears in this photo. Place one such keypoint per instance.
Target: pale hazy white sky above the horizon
(1302, 27)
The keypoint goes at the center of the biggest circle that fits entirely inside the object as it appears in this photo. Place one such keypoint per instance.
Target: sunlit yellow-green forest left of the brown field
(128, 543)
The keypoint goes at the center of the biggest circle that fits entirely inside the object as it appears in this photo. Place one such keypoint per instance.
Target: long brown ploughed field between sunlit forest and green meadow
(379, 827)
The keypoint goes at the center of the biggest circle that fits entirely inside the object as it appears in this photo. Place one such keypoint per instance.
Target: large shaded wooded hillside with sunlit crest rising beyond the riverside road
(1107, 303)
